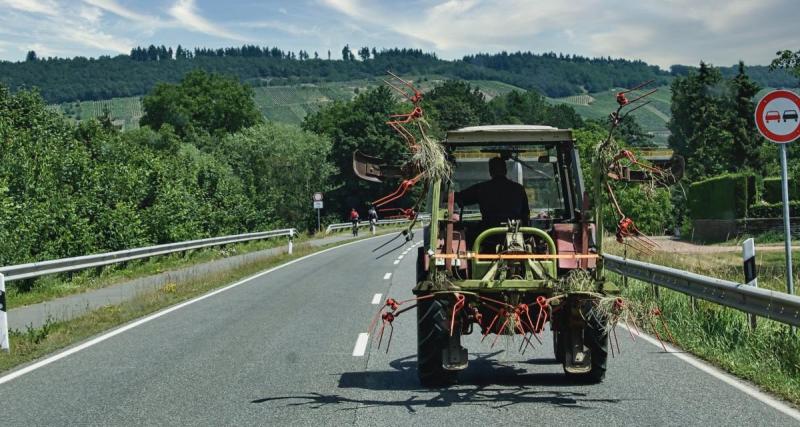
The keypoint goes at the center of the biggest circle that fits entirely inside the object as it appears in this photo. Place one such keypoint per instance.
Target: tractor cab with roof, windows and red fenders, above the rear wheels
(542, 160)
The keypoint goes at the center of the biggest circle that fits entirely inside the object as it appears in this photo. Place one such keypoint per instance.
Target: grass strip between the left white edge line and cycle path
(32, 344)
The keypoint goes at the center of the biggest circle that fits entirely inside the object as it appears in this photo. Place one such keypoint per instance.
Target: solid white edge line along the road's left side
(115, 332)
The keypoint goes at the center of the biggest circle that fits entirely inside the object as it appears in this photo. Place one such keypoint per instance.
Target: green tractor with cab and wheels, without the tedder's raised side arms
(511, 277)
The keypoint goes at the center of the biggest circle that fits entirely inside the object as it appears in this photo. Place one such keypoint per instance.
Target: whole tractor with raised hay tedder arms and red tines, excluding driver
(519, 276)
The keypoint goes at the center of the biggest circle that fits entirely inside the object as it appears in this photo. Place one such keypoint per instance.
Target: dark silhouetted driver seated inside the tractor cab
(499, 199)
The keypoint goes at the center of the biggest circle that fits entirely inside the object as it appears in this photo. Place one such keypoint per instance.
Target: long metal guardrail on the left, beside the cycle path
(36, 269)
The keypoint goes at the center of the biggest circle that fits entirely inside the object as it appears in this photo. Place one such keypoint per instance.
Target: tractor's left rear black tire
(433, 333)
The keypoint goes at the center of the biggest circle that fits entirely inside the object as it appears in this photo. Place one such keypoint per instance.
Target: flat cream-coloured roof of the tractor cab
(507, 134)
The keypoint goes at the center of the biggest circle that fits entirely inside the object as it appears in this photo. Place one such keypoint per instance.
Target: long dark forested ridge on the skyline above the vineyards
(65, 80)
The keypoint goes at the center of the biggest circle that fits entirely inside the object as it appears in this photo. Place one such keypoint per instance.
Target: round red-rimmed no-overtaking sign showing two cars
(777, 116)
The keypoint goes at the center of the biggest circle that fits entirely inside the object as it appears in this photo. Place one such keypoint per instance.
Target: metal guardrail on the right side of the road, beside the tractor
(773, 305)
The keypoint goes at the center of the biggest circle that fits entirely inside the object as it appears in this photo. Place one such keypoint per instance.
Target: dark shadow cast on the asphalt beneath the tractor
(483, 383)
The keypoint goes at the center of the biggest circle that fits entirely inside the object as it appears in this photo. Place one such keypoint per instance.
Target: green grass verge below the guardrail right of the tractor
(768, 357)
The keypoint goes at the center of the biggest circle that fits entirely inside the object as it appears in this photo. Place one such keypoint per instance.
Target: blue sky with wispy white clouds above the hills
(660, 32)
